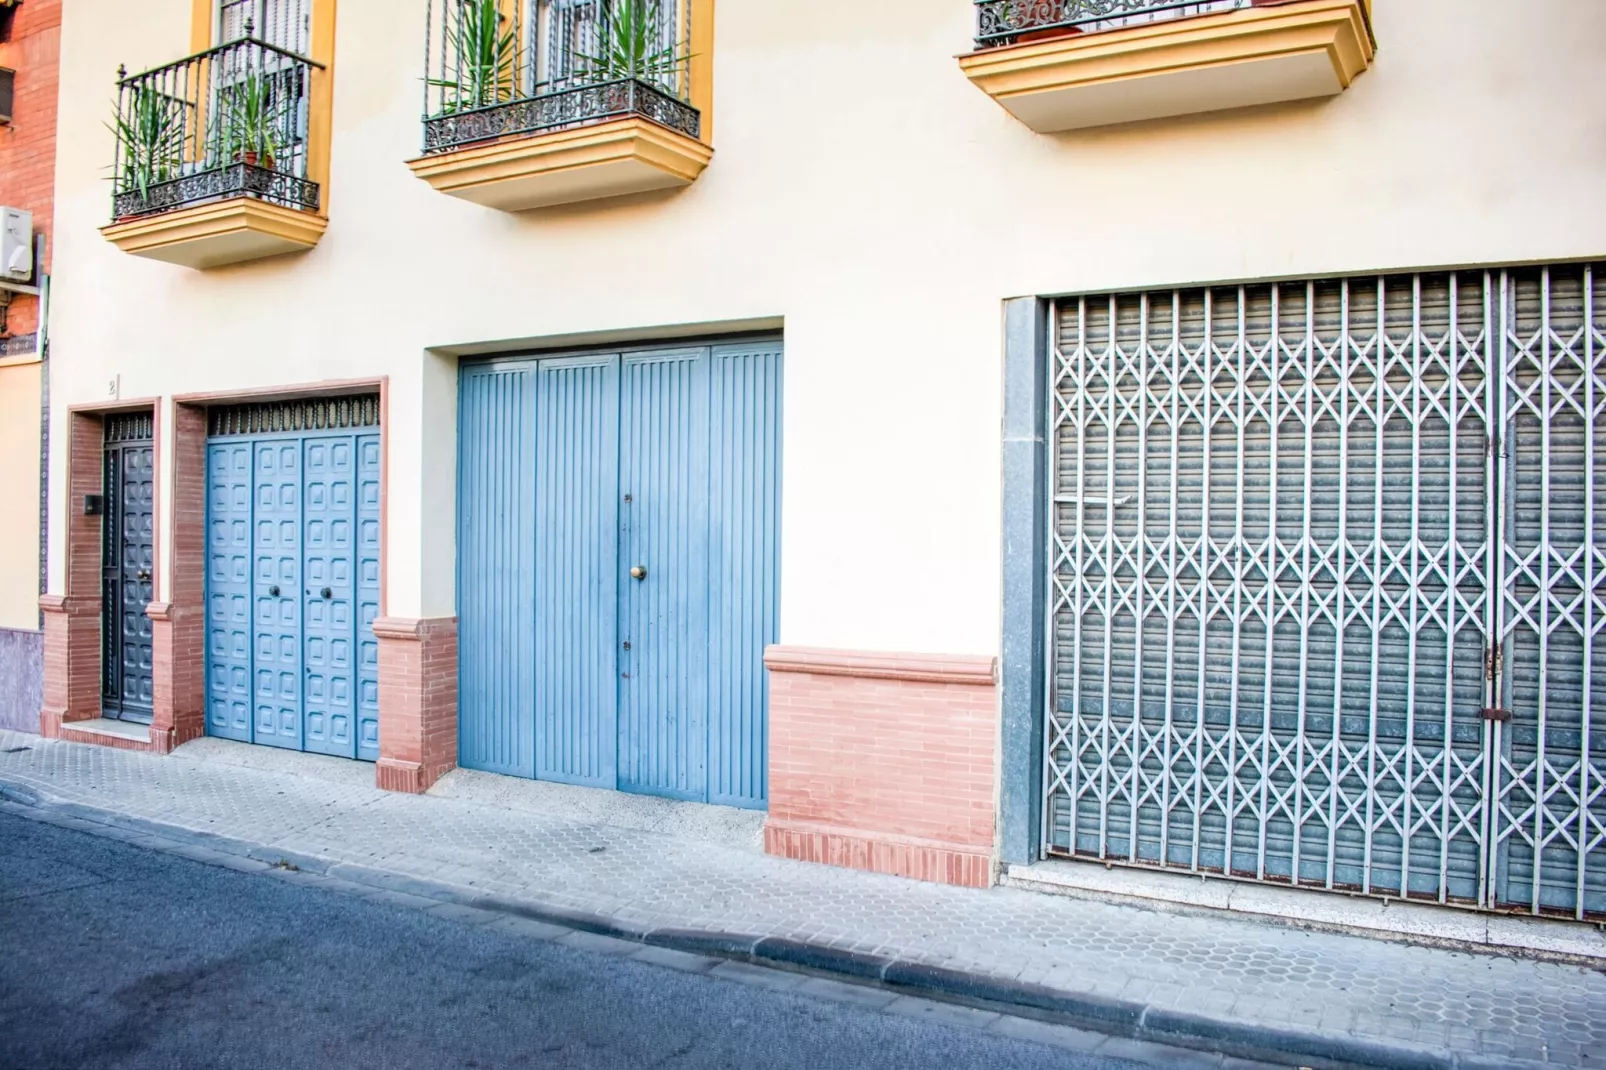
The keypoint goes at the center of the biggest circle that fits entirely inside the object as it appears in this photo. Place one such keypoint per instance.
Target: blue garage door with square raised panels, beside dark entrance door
(293, 590)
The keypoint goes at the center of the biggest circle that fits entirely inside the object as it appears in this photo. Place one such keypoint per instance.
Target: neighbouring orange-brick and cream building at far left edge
(30, 46)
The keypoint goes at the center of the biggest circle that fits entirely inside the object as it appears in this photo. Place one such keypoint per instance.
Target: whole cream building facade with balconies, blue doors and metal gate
(971, 433)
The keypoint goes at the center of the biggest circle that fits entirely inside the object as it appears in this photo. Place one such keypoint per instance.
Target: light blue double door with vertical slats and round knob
(619, 570)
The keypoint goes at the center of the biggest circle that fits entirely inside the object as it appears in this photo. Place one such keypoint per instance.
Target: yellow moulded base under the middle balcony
(592, 163)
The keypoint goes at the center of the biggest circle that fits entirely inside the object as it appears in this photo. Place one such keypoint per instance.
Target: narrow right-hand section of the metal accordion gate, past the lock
(1551, 769)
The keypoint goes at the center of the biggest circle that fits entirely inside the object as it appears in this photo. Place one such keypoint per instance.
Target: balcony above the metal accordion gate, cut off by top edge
(1067, 65)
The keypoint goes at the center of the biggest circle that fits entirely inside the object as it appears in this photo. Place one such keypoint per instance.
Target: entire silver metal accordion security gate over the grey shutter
(1327, 586)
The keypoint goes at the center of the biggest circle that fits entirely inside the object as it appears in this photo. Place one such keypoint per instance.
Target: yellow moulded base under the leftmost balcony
(214, 235)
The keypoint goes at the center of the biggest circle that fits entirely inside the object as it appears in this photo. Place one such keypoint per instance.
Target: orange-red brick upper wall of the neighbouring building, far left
(28, 145)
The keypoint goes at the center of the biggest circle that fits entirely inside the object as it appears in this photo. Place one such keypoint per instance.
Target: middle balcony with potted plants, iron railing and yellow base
(536, 104)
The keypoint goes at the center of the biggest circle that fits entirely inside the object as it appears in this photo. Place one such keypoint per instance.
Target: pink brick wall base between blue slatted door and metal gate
(884, 762)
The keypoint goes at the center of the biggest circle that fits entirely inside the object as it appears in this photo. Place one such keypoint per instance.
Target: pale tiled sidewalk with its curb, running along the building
(696, 878)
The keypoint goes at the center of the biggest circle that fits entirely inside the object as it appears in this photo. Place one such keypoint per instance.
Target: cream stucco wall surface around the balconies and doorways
(868, 197)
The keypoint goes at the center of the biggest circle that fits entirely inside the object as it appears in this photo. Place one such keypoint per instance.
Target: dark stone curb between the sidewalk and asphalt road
(1115, 1018)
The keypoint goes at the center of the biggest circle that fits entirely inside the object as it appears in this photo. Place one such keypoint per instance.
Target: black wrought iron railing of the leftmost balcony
(227, 123)
